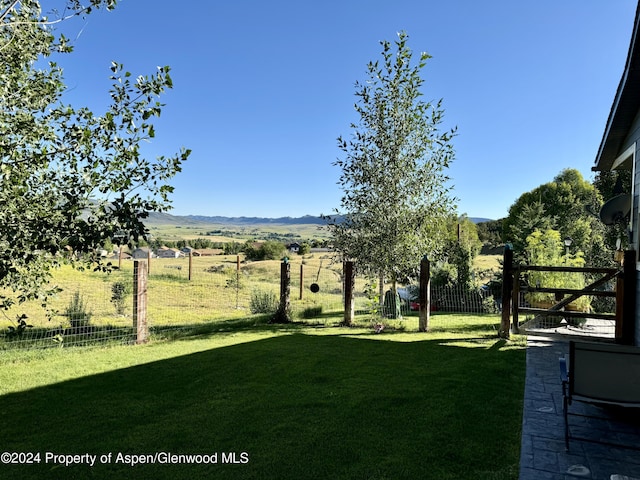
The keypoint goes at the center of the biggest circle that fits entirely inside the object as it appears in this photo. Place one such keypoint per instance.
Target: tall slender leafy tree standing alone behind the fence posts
(396, 197)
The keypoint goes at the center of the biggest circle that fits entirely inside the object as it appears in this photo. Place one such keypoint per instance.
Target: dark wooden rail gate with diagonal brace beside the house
(552, 310)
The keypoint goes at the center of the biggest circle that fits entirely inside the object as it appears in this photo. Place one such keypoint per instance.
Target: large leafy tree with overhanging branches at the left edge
(69, 179)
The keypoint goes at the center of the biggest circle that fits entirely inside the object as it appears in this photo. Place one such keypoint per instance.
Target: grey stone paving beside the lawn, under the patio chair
(543, 454)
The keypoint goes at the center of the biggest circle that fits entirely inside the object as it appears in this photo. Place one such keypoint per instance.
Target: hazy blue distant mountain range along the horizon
(185, 220)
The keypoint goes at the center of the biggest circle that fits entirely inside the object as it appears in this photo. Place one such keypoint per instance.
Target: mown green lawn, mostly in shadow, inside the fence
(291, 402)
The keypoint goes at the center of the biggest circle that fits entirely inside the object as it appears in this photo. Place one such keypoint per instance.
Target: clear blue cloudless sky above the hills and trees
(263, 89)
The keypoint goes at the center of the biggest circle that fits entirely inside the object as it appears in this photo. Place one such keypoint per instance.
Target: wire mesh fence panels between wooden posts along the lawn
(187, 293)
